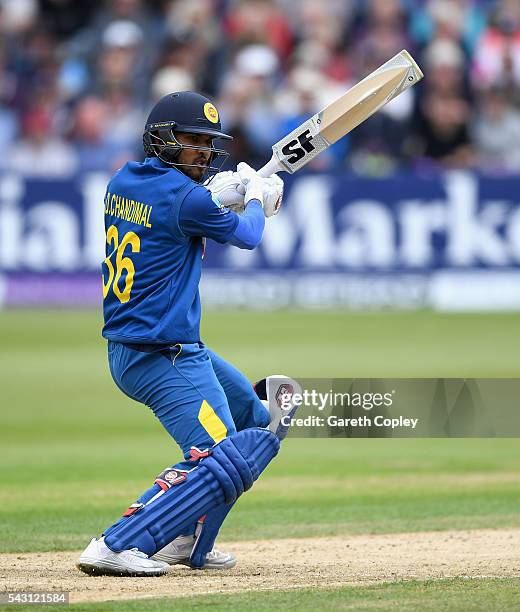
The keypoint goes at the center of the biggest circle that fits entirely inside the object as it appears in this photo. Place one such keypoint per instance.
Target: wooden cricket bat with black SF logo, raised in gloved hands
(323, 129)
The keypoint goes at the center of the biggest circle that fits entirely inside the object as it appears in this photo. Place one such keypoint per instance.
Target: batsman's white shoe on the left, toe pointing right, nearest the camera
(99, 560)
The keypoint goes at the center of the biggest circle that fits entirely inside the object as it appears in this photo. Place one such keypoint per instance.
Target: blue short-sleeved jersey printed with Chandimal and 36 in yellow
(156, 219)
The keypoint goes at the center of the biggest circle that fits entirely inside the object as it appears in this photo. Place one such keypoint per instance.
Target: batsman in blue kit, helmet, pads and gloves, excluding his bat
(158, 215)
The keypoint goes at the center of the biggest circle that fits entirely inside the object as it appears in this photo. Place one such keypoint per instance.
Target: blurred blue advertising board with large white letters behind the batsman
(442, 241)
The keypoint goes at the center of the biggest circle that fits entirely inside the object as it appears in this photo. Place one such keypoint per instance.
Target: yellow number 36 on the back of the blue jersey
(122, 263)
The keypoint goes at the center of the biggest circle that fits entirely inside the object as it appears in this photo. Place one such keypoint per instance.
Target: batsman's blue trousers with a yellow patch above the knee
(198, 397)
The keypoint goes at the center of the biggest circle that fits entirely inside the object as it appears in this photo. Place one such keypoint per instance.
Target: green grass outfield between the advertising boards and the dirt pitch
(75, 451)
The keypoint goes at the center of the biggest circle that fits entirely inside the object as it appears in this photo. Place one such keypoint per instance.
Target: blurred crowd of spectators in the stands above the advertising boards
(78, 78)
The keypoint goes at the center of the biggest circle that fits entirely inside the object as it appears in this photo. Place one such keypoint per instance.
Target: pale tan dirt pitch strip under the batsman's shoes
(286, 564)
